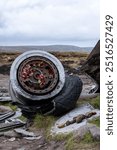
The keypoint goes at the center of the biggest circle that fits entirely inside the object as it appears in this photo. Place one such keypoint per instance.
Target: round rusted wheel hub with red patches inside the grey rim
(38, 75)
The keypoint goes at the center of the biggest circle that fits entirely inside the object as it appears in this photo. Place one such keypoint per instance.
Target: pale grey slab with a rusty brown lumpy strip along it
(60, 127)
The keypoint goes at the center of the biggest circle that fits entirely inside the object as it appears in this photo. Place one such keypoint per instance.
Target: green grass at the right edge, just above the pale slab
(95, 102)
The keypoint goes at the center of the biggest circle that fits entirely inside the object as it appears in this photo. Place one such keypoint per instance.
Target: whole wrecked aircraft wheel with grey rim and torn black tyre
(38, 84)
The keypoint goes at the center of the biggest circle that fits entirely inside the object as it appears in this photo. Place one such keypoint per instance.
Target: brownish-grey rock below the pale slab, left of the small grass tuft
(79, 134)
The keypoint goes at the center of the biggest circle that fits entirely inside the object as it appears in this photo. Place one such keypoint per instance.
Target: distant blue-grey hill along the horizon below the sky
(45, 48)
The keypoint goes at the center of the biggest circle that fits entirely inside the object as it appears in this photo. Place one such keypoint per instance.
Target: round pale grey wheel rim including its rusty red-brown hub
(36, 75)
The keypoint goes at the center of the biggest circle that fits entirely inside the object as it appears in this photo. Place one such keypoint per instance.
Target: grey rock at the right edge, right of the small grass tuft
(94, 130)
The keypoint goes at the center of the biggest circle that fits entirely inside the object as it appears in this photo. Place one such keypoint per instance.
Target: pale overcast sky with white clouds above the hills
(45, 22)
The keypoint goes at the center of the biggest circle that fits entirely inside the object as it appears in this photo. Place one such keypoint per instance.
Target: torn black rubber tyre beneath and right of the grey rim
(59, 105)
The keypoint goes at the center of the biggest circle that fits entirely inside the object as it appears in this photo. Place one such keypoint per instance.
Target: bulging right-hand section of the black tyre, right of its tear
(67, 98)
